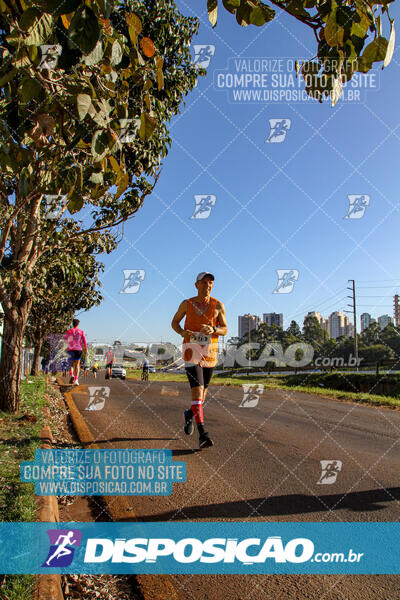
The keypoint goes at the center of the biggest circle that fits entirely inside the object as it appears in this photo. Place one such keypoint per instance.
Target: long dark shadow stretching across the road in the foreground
(291, 504)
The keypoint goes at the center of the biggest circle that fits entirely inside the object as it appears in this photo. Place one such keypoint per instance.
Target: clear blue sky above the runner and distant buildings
(277, 205)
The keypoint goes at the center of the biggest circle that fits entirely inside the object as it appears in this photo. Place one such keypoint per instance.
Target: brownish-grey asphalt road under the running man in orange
(264, 466)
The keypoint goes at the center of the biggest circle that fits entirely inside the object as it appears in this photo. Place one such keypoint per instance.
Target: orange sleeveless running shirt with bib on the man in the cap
(201, 349)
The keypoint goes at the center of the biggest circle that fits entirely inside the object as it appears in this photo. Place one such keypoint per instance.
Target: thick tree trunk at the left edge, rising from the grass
(11, 353)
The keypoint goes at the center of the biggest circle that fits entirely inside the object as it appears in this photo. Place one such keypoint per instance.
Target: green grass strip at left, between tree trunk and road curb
(20, 437)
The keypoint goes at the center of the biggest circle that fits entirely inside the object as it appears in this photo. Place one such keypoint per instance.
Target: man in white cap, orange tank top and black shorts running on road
(205, 321)
